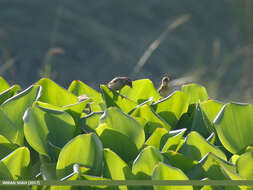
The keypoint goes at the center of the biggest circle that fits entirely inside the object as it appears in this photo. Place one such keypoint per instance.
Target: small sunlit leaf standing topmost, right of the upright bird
(195, 92)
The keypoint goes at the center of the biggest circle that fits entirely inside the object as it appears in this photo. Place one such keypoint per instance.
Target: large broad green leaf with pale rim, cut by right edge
(232, 125)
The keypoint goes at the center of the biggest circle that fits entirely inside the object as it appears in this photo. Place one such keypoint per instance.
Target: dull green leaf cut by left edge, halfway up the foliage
(7, 128)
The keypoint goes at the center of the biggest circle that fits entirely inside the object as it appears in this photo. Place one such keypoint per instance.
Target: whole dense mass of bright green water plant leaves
(46, 133)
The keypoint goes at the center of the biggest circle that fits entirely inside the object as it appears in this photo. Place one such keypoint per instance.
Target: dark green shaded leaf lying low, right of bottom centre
(179, 160)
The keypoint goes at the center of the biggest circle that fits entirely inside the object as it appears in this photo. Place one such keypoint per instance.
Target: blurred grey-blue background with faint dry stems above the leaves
(208, 42)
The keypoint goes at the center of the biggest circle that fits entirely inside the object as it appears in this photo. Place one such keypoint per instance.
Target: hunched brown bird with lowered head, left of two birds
(119, 82)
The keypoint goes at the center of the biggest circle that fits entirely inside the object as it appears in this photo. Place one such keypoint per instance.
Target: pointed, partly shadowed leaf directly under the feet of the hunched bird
(113, 98)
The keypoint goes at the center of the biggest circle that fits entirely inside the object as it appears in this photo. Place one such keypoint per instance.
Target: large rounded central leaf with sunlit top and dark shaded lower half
(121, 133)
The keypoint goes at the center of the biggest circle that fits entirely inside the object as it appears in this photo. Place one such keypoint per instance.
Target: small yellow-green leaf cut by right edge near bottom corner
(244, 165)
